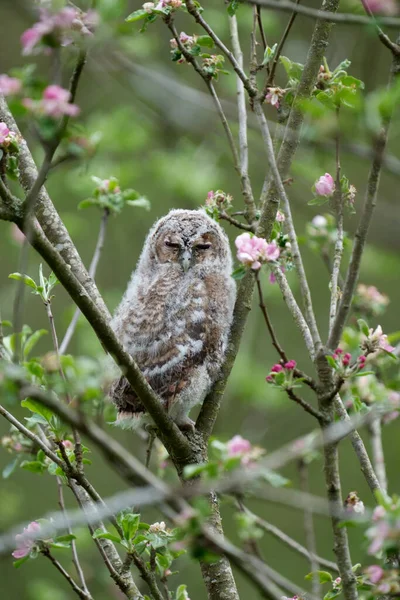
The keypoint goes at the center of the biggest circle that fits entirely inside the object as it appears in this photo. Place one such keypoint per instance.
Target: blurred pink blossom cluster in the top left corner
(57, 29)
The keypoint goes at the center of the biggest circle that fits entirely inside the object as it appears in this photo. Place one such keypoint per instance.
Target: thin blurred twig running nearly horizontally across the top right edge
(312, 13)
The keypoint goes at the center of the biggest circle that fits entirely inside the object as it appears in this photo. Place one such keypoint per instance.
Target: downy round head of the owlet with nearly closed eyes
(188, 239)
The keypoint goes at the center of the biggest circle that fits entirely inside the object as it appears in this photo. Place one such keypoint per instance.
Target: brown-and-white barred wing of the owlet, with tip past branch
(168, 352)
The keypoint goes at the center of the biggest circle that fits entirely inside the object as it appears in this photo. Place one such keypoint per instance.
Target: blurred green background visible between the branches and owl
(159, 134)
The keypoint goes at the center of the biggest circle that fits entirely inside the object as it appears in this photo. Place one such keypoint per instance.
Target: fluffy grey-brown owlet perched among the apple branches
(175, 316)
